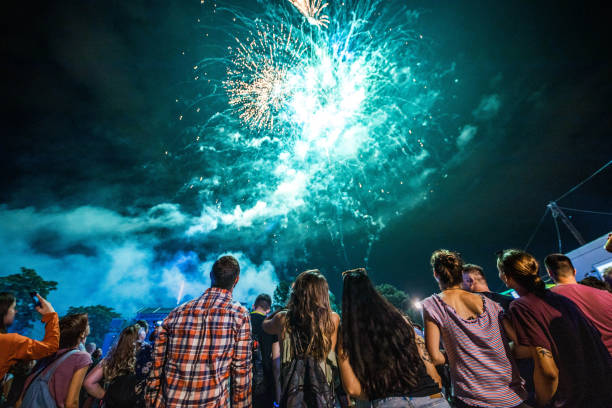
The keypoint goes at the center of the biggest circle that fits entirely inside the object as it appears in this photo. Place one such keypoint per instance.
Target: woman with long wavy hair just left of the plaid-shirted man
(119, 364)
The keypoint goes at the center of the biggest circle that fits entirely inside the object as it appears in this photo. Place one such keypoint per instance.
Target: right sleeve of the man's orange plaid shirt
(241, 371)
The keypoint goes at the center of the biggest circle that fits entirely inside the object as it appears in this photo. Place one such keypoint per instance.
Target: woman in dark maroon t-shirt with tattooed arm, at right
(572, 367)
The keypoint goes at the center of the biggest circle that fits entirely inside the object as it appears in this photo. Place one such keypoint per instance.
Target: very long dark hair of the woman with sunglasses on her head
(378, 340)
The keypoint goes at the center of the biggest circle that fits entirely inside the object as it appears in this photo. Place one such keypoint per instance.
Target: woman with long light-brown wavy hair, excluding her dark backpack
(307, 328)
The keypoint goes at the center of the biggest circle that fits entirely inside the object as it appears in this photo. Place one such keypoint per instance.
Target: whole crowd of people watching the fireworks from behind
(477, 348)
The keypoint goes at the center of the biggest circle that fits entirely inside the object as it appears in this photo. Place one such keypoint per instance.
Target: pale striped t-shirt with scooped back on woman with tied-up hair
(482, 373)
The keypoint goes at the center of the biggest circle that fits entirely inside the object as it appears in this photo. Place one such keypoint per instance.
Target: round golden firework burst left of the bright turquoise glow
(256, 83)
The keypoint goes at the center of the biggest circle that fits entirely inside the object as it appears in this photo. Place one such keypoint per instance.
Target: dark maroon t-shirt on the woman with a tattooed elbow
(556, 324)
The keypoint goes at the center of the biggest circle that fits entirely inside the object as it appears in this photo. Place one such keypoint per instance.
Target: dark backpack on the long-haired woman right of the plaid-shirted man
(305, 385)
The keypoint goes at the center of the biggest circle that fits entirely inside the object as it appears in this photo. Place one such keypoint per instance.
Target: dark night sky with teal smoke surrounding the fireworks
(97, 166)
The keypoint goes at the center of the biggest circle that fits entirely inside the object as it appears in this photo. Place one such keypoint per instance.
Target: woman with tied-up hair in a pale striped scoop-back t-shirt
(483, 373)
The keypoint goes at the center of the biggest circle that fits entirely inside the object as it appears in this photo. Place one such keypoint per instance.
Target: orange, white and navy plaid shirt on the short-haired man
(201, 347)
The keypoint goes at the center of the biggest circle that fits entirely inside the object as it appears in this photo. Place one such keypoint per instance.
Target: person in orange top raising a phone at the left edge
(15, 347)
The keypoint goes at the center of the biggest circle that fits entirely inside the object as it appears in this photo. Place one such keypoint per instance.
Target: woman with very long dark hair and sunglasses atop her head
(381, 358)
